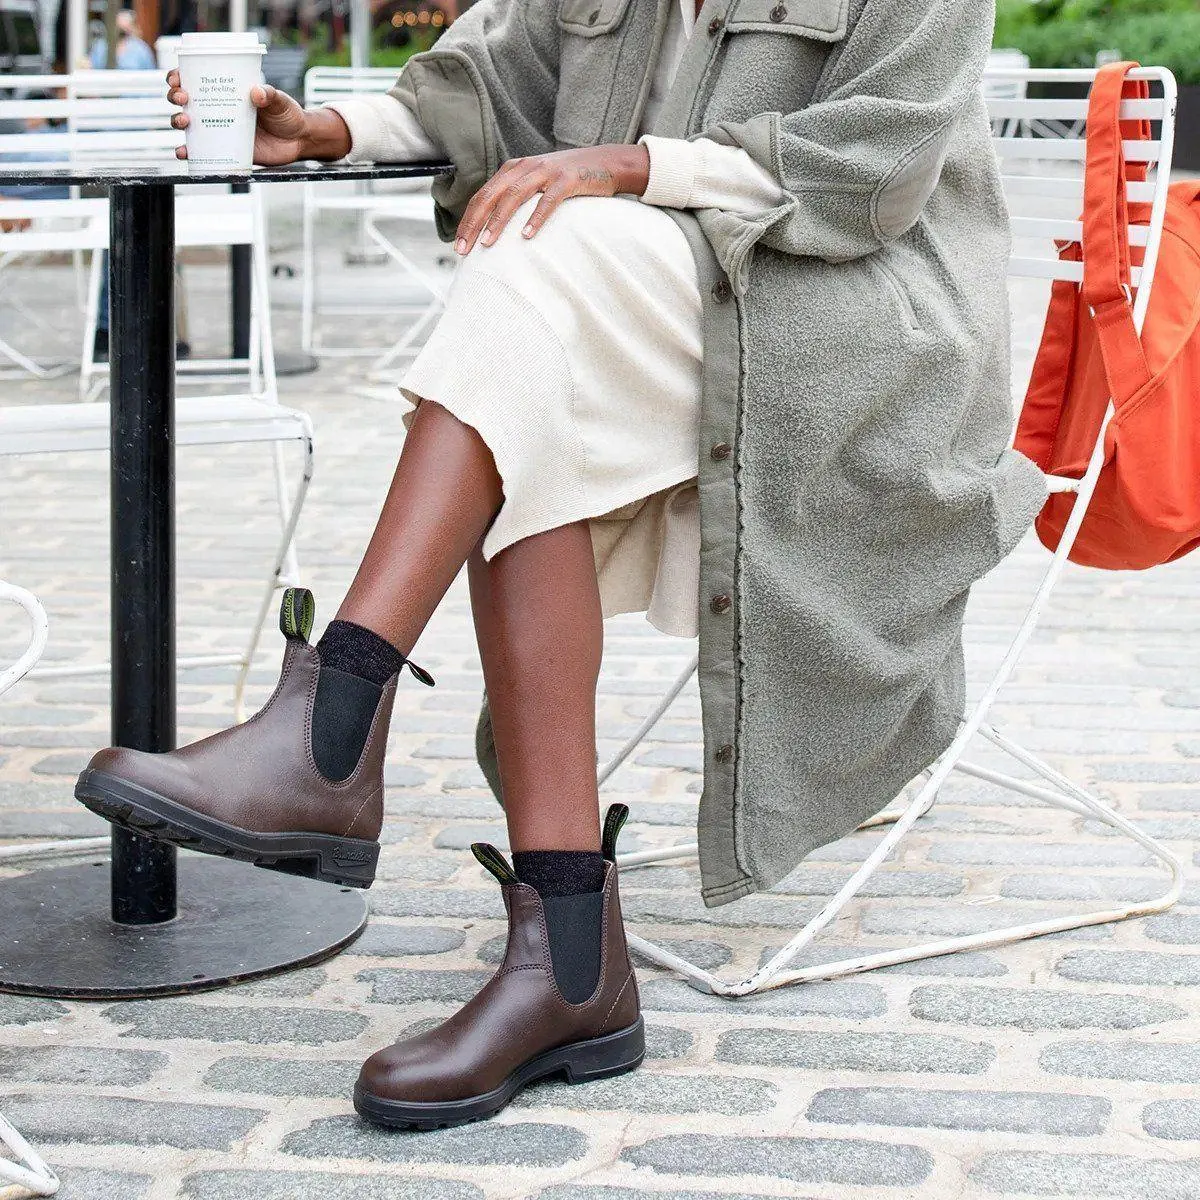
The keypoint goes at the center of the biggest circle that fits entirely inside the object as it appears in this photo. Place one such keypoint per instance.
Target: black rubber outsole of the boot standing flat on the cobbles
(579, 1064)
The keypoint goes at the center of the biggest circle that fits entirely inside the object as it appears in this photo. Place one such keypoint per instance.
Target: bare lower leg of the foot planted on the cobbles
(542, 637)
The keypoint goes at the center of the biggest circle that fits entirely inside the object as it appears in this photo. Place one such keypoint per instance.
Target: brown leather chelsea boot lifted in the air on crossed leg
(256, 793)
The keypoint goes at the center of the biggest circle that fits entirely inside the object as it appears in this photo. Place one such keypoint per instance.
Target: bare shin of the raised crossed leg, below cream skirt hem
(443, 497)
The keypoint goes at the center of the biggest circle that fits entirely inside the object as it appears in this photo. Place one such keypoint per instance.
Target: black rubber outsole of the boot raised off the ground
(347, 862)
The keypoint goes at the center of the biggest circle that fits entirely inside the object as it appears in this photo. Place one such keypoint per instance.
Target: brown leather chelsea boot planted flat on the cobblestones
(519, 1029)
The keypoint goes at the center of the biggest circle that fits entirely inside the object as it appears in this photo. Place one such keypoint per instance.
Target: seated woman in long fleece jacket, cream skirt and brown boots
(729, 346)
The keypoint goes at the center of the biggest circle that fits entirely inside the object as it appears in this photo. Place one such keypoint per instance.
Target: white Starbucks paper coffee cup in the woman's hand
(218, 71)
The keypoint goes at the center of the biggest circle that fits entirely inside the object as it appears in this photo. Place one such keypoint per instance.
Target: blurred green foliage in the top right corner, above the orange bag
(1072, 33)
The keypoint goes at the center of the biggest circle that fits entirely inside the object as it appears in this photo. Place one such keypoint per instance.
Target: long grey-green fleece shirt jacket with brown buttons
(856, 359)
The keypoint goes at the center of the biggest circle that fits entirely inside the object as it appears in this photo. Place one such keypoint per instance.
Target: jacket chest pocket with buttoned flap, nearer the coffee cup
(590, 49)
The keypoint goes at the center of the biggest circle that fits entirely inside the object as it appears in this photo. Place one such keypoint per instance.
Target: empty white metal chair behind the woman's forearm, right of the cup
(413, 208)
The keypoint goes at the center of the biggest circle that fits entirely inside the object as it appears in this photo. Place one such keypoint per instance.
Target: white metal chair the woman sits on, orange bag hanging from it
(1047, 173)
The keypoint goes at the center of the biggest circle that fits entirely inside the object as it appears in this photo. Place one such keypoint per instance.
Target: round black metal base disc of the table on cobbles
(236, 922)
